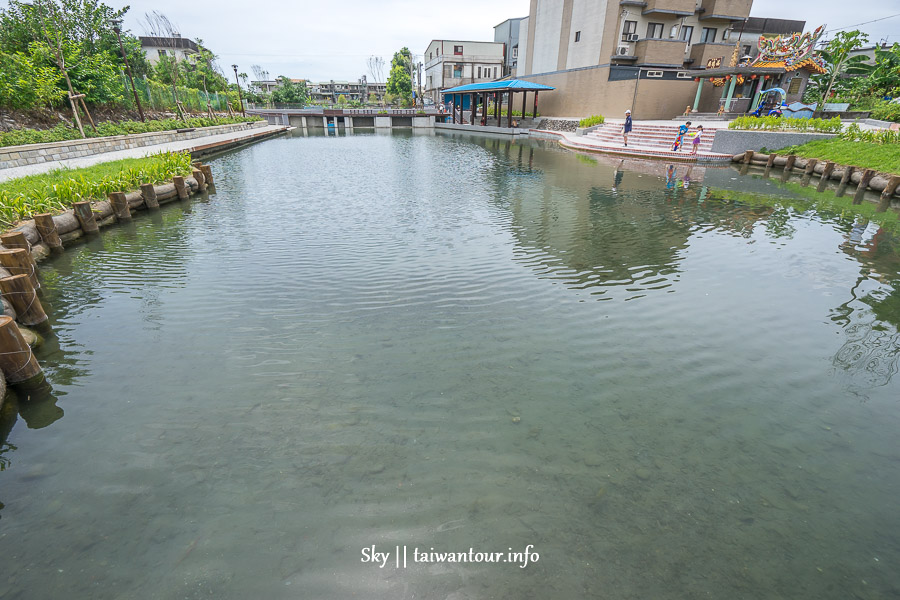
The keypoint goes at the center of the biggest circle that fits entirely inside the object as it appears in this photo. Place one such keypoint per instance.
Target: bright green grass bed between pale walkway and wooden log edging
(57, 190)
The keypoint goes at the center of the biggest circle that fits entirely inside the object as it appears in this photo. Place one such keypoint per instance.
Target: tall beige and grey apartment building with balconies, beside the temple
(599, 53)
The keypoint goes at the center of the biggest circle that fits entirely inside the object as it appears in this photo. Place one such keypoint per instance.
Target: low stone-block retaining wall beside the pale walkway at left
(19, 156)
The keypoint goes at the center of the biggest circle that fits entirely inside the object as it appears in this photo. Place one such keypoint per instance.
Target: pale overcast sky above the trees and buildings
(321, 40)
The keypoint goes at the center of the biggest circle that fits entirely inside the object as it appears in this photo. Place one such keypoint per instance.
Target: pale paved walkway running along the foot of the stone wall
(194, 145)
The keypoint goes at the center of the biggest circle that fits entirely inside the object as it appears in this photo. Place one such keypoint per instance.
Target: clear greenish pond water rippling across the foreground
(463, 343)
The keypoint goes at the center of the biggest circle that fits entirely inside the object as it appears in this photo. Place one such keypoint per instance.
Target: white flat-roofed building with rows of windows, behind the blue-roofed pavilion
(449, 63)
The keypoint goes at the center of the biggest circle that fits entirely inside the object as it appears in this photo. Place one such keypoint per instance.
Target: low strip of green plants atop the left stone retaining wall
(62, 133)
